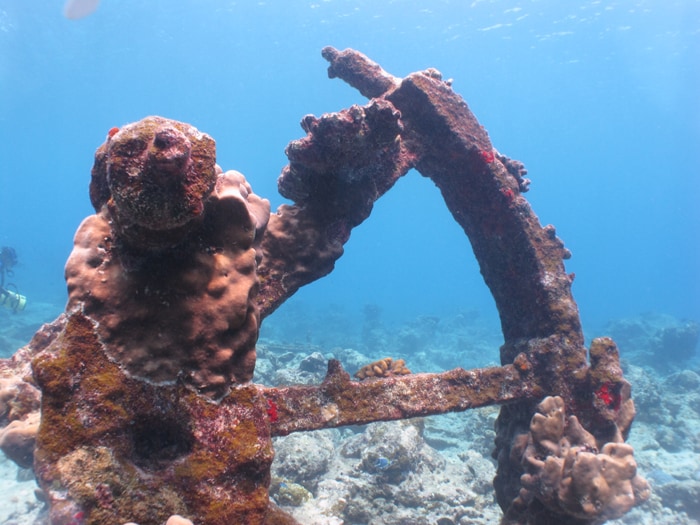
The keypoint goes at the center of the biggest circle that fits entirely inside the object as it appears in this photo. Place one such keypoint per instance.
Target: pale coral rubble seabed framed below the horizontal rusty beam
(386, 473)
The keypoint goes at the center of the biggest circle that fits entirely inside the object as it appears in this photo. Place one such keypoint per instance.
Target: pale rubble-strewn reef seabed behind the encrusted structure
(462, 440)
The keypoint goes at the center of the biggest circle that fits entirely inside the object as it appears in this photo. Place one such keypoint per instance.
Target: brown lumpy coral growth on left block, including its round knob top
(167, 265)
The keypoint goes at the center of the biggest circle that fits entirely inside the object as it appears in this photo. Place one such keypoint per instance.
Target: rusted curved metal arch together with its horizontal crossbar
(430, 128)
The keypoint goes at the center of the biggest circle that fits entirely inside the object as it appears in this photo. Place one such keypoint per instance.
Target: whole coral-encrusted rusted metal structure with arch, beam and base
(147, 409)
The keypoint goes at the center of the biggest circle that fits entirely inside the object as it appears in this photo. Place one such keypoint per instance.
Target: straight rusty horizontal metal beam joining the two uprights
(339, 401)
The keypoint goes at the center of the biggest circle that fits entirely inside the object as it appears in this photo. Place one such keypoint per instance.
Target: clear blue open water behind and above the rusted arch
(597, 98)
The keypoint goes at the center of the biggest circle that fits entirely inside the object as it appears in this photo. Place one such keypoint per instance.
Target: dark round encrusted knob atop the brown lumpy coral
(156, 173)
